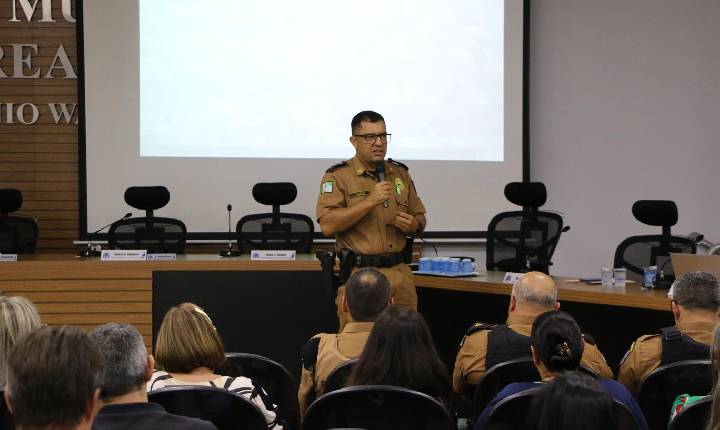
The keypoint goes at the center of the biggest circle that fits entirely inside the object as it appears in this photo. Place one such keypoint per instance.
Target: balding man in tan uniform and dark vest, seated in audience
(486, 345)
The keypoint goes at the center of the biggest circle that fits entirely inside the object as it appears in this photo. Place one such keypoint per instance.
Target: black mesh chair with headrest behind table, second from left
(155, 234)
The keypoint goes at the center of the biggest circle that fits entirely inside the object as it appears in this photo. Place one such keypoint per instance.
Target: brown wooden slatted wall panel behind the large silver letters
(41, 160)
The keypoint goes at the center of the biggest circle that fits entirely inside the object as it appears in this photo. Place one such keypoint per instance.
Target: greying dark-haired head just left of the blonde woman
(125, 358)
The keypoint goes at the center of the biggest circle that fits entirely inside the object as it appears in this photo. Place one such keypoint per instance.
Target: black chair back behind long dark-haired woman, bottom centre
(377, 407)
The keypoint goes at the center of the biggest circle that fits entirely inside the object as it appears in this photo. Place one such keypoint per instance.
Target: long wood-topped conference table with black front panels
(272, 307)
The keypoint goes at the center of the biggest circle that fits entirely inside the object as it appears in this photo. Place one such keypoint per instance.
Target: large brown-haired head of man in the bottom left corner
(53, 379)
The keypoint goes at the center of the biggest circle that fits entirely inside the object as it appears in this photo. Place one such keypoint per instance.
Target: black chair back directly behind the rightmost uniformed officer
(660, 388)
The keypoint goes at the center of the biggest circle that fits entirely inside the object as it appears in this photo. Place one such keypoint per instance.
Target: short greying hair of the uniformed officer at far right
(697, 290)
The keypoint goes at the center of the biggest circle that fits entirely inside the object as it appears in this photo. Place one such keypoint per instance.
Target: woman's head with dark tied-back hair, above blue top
(557, 339)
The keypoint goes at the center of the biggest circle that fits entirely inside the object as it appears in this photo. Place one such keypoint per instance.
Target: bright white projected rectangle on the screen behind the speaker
(282, 78)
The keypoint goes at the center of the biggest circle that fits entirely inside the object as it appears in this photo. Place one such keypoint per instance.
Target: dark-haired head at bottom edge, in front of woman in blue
(571, 401)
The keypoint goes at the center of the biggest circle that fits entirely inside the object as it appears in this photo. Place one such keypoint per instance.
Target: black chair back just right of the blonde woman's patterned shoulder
(273, 377)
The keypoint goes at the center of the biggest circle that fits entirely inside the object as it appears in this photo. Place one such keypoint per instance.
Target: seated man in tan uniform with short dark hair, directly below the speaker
(367, 293)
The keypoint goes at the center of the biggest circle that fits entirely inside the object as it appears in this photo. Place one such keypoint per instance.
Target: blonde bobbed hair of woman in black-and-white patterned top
(188, 340)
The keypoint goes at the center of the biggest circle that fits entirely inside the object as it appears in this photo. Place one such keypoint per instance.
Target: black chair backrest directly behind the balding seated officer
(499, 376)
